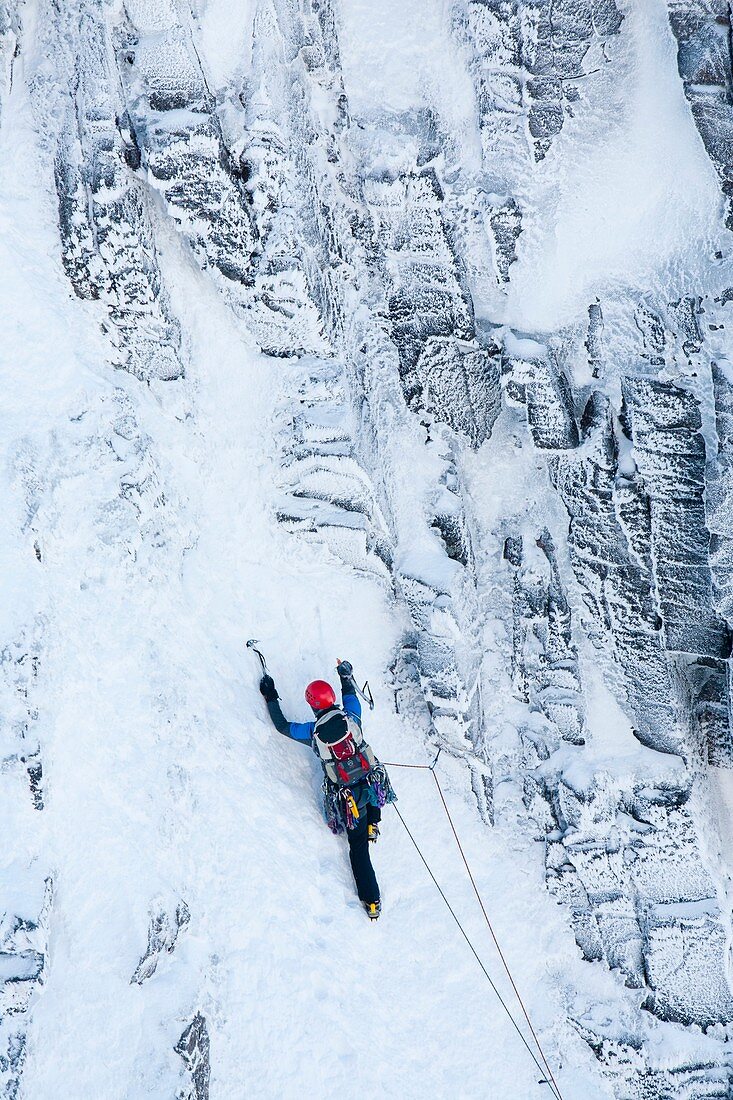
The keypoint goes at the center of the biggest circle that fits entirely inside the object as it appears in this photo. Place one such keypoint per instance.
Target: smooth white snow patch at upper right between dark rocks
(627, 192)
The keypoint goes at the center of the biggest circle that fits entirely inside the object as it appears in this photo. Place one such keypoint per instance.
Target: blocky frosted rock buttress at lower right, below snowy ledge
(629, 867)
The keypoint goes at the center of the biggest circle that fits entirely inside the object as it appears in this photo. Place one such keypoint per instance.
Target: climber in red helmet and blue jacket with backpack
(356, 785)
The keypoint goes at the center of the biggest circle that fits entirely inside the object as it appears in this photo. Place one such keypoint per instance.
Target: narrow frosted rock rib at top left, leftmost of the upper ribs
(105, 222)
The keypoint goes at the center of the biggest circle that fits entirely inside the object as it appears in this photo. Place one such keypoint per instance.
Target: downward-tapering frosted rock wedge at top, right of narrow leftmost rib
(229, 180)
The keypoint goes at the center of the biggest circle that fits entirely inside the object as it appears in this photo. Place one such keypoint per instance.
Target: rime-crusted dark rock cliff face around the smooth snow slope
(496, 312)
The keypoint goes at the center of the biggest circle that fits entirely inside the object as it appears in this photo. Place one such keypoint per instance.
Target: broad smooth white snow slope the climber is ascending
(167, 783)
